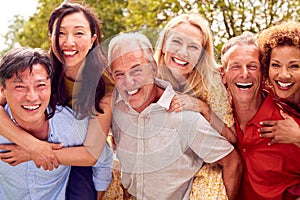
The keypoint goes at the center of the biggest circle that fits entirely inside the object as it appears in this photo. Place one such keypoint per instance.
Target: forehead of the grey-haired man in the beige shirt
(129, 60)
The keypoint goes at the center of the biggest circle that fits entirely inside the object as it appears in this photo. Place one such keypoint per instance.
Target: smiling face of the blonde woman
(182, 48)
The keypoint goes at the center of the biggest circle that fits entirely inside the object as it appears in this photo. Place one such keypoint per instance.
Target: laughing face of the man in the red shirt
(243, 74)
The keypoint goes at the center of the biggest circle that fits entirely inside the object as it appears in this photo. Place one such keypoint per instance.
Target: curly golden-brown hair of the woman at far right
(284, 34)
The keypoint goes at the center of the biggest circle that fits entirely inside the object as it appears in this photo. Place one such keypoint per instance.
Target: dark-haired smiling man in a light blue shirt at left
(25, 82)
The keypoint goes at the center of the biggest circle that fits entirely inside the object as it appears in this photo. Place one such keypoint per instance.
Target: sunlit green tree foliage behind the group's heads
(227, 18)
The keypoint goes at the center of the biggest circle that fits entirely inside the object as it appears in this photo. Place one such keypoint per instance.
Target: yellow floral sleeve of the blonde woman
(218, 101)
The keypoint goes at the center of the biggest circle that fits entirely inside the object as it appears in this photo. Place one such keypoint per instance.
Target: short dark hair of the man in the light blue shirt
(18, 60)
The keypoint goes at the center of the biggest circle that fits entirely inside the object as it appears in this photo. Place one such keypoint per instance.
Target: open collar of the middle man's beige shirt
(164, 101)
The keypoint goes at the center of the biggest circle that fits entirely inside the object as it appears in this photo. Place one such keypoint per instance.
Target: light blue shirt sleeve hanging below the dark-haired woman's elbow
(102, 170)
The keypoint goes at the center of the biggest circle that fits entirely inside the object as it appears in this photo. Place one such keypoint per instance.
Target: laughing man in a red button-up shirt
(270, 171)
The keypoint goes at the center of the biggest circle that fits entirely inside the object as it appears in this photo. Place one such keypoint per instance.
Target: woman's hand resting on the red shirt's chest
(282, 131)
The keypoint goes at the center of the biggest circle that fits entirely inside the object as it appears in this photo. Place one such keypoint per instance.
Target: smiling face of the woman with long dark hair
(75, 40)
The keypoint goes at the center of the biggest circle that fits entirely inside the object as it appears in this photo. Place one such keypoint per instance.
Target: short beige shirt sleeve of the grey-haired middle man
(207, 143)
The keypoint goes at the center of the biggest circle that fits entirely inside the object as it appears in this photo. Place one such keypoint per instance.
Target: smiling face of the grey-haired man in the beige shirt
(134, 78)
